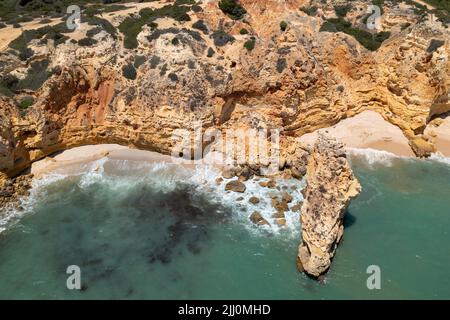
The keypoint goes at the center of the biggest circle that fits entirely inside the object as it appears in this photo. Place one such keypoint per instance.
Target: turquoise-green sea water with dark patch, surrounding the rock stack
(136, 237)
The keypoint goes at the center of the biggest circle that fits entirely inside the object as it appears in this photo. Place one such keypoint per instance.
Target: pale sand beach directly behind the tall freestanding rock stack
(366, 130)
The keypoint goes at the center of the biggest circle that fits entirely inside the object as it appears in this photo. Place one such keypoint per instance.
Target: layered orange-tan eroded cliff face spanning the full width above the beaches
(296, 80)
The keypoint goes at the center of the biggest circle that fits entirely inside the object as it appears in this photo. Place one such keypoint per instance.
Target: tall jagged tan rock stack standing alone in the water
(331, 186)
